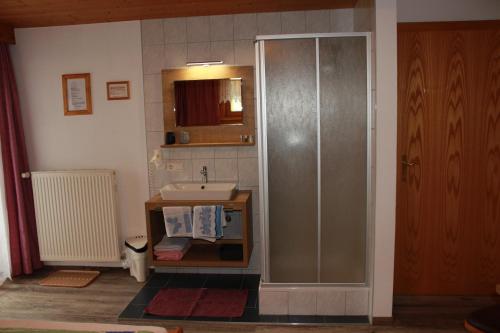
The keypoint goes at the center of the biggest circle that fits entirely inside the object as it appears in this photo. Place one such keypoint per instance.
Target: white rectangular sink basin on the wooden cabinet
(198, 191)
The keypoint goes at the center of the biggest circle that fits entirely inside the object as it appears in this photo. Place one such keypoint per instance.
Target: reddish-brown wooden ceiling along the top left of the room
(39, 13)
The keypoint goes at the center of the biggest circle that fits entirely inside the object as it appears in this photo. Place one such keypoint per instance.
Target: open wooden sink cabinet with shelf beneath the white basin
(203, 253)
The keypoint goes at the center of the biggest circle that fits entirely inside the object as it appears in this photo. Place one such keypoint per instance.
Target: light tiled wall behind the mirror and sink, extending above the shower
(168, 43)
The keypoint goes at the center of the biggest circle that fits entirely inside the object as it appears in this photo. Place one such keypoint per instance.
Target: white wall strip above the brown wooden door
(447, 10)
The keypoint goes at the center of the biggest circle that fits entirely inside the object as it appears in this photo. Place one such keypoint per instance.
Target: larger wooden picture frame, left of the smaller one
(77, 96)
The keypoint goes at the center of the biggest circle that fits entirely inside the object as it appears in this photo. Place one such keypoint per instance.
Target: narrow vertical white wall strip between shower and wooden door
(386, 137)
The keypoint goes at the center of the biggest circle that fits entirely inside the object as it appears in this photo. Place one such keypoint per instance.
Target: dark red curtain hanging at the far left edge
(24, 253)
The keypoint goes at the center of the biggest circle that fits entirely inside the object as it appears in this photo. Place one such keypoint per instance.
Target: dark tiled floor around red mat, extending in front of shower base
(135, 310)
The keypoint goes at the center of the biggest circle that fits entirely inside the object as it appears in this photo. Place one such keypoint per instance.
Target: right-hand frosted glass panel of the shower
(343, 103)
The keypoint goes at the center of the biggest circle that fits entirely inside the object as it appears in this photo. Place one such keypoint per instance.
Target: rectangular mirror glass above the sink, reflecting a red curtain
(208, 102)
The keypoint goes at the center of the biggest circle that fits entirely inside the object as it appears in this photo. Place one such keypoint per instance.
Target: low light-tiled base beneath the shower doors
(325, 301)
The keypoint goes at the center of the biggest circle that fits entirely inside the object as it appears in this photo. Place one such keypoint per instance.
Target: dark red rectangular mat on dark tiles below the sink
(180, 302)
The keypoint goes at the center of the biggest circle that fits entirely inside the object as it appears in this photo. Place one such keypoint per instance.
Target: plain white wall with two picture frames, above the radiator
(113, 137)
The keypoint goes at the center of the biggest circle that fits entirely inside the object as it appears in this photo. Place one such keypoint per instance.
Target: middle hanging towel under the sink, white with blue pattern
(208, 222)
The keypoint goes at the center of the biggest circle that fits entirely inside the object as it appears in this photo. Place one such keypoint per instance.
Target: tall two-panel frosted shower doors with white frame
(314, 153)
